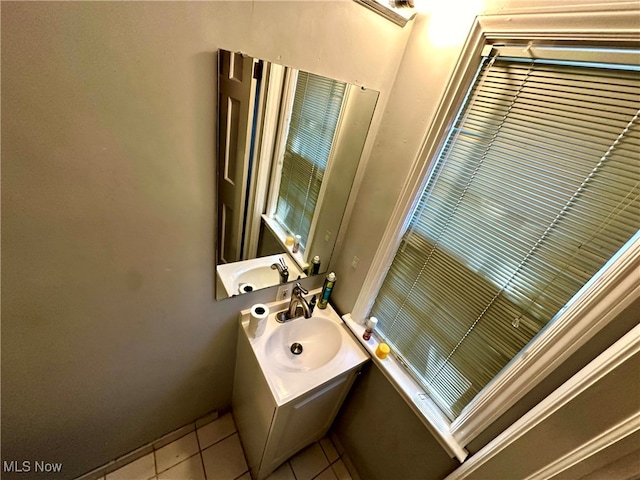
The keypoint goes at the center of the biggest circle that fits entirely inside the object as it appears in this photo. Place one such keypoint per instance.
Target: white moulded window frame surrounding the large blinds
(600, 300)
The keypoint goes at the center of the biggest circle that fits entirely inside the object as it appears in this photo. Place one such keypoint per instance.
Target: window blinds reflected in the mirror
(316, 108)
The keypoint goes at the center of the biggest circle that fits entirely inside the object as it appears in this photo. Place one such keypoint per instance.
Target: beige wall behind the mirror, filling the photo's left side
(110, 333)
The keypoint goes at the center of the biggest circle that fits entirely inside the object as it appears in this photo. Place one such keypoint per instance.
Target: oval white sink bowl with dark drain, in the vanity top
(304, 343)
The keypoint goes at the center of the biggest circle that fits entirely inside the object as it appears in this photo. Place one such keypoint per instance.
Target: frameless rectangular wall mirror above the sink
(289, 145)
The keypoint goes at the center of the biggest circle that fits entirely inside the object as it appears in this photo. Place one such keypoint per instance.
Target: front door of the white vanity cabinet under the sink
(304, 421)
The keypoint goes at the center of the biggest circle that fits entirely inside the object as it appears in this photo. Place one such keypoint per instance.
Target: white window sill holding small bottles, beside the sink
(411, 392)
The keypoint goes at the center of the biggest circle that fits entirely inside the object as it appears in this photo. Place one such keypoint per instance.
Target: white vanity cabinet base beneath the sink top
(272, 433)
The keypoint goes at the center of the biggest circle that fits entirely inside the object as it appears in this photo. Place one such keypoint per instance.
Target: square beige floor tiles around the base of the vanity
(214, 452)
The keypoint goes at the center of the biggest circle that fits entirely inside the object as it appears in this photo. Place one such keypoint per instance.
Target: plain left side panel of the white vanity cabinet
(253, 404)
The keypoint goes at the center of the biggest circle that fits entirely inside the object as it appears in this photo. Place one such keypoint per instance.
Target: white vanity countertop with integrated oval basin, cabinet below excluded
(328, 350)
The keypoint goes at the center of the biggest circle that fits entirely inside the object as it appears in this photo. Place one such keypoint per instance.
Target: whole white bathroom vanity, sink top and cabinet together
(285, 398)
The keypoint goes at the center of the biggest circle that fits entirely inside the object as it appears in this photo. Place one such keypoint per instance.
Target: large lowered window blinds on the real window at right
(534, 191)
